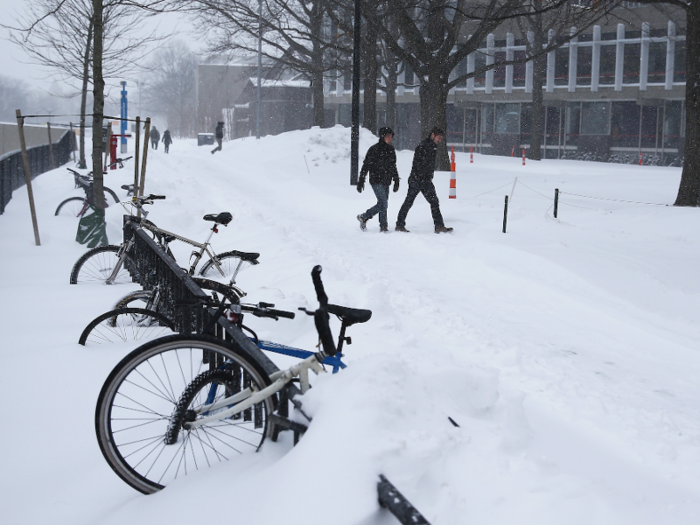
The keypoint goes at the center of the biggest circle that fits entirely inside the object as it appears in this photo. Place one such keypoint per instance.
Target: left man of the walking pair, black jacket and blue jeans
(380, 162)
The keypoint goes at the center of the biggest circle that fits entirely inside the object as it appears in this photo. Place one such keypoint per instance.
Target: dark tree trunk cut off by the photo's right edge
(689, 190)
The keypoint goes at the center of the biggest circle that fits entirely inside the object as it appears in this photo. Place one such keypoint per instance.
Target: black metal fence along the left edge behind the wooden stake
(39, 157)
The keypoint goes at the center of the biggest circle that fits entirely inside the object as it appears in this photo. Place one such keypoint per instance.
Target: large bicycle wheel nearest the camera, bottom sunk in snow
(153, 391)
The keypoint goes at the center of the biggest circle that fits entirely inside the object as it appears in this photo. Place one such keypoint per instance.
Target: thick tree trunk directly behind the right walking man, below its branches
(433, 112)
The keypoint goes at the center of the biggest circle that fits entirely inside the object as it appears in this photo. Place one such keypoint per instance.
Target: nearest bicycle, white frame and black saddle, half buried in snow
(185, 402)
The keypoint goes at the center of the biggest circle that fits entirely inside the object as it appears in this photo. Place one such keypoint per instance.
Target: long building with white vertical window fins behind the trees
(612, 93)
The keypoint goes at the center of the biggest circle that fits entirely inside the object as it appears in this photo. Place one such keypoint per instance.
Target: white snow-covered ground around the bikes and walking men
(565, 349)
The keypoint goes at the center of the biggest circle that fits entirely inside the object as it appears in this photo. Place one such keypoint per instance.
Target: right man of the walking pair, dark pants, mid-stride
(421, 181)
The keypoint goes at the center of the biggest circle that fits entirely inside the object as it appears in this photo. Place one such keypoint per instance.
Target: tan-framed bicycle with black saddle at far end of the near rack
(111, 264)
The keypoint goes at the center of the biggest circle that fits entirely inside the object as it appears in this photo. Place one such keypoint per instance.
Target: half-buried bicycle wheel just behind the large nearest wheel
(126, 324)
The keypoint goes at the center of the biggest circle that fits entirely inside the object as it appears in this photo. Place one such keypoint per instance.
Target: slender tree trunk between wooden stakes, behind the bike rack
(98, 105)
